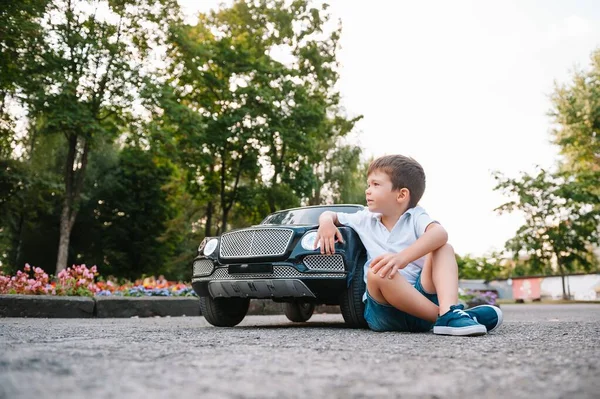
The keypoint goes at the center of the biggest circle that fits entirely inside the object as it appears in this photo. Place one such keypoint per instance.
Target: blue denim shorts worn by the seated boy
(382, 317)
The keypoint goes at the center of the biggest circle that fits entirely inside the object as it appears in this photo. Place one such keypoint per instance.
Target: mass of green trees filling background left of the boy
(236, 131)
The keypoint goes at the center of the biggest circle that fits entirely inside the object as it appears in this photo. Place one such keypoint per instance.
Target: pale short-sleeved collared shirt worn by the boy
(378, 240)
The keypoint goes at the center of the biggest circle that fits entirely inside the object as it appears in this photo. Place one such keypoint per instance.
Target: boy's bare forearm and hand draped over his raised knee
(434, 237)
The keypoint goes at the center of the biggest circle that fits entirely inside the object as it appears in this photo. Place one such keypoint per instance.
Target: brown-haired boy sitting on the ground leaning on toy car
(411, 271)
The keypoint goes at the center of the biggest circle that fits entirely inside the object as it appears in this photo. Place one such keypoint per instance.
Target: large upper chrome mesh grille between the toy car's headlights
(255, 242)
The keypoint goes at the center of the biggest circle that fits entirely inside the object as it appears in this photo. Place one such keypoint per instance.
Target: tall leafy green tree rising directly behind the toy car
(258, 123)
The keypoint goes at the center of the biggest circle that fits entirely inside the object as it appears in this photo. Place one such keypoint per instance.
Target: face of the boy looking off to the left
(380, 196)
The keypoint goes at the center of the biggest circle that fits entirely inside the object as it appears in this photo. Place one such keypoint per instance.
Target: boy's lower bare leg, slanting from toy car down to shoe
(401, 295)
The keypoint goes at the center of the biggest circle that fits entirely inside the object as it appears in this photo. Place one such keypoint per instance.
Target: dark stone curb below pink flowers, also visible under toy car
(49, 306)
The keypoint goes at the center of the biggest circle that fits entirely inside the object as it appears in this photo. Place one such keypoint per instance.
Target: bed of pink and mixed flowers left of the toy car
(78, 280)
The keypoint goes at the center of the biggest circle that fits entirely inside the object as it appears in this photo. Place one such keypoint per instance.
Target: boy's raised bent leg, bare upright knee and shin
(440, 276)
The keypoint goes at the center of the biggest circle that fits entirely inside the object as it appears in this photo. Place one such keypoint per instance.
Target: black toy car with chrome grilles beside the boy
(276, 260)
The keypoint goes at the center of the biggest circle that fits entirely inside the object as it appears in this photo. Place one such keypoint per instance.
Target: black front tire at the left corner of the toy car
(224, 312)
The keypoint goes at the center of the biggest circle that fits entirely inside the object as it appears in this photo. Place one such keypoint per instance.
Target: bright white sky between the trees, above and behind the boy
(464, 88)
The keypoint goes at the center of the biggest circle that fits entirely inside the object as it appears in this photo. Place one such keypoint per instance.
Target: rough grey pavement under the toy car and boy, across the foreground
(545, 351)
